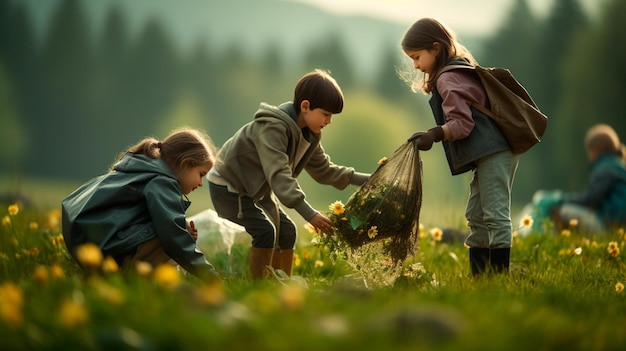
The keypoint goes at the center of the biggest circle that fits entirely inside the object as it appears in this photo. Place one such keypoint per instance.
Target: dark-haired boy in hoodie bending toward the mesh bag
(259, 165)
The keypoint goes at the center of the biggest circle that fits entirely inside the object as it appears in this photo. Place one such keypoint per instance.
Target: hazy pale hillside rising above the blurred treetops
(250, 24)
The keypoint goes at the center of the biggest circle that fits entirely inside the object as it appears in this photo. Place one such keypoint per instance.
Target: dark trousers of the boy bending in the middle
(257, 223)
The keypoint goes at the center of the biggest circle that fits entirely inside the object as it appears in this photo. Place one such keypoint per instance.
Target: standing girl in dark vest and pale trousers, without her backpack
(471, 140)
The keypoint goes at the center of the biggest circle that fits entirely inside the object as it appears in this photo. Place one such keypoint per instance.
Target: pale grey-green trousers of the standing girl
(488, 209)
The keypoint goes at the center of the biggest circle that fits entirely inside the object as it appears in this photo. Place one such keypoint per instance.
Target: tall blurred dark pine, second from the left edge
(65, 121)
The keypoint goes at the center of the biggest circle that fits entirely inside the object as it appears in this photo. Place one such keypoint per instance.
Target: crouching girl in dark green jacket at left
(136, 212)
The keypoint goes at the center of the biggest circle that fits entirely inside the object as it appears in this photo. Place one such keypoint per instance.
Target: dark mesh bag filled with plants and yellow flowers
(378, 228)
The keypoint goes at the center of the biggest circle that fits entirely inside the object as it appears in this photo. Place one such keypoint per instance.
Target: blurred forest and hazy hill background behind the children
(81, 80)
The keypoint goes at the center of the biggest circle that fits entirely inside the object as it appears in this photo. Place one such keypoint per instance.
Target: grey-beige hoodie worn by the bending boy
(266, 155)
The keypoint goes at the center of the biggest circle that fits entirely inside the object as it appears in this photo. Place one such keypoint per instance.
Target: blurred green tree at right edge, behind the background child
(593, 90)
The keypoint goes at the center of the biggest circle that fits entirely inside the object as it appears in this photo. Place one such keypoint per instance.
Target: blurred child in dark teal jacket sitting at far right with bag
(602, 204)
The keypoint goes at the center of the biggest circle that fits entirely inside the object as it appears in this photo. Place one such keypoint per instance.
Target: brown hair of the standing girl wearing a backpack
(421, 36)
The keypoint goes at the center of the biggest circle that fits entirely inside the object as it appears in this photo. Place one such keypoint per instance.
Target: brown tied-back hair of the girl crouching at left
(183, 148)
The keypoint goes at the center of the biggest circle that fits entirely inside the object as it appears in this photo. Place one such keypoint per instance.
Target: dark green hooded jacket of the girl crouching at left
(140, 199)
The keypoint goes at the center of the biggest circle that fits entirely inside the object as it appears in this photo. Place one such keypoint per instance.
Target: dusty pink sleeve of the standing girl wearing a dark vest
(459, 89)
